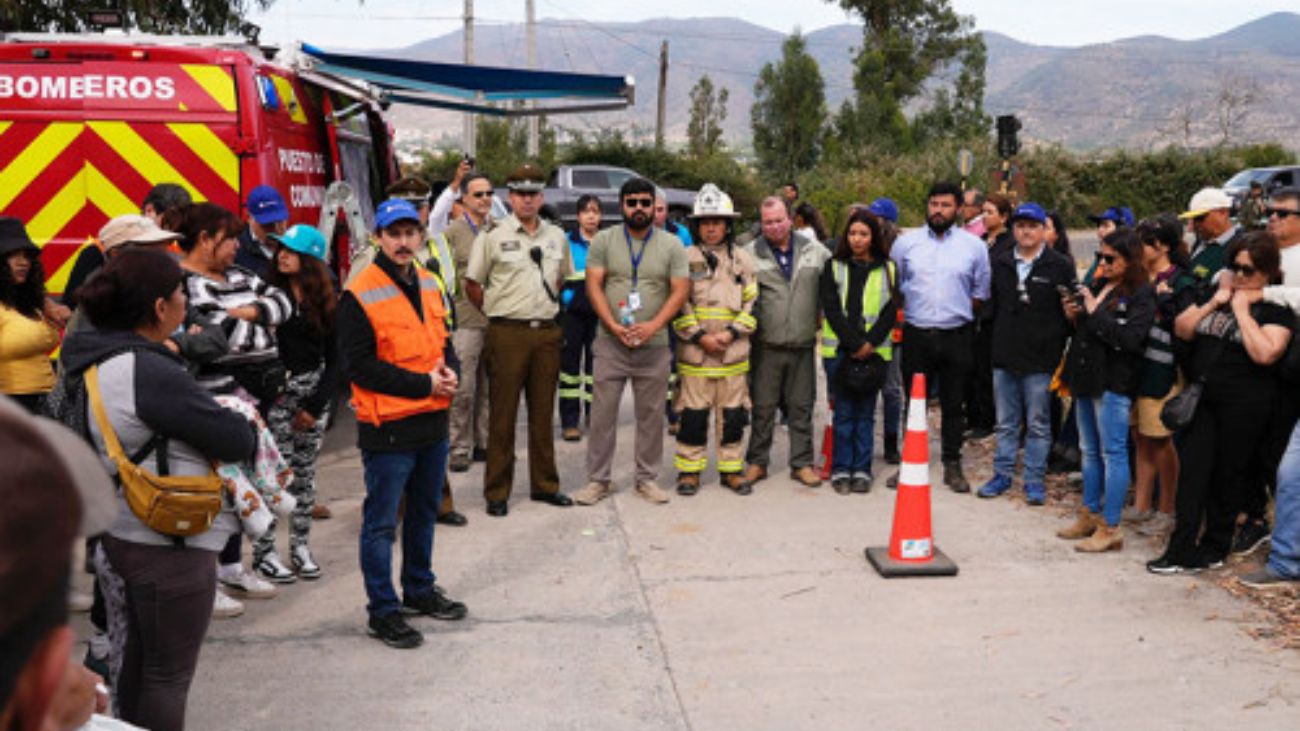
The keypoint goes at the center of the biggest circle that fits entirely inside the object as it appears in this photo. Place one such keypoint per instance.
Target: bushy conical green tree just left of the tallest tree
(790, 107)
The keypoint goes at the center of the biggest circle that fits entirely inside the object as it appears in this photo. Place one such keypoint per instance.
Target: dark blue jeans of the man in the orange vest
(419, 475)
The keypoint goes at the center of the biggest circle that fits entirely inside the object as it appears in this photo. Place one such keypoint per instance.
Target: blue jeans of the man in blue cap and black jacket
(1026, 396)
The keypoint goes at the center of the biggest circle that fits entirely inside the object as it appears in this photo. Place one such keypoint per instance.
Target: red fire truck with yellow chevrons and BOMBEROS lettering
(90, 123)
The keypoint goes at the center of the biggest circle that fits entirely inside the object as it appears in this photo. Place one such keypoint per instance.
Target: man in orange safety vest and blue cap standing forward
(393, 336)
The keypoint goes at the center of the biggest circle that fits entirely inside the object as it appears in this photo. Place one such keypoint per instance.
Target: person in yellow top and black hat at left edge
(27, 335)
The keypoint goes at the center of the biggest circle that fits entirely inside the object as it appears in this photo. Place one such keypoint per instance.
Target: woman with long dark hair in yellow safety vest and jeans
(859, 305)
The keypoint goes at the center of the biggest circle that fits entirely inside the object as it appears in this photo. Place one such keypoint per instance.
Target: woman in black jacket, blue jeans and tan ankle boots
(1103, 366)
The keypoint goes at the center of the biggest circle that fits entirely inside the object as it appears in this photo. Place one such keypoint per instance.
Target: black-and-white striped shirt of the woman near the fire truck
(250, 343)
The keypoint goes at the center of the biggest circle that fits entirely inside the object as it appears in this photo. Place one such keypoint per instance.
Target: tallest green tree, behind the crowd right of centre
(907, 45)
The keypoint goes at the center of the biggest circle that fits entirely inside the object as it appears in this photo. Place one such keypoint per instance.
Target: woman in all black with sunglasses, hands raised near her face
(1236, 347)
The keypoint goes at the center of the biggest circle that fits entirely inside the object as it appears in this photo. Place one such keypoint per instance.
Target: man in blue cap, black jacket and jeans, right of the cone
(1030, 330)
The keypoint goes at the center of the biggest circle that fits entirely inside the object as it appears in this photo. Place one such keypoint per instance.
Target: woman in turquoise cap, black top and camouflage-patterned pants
(298, 418)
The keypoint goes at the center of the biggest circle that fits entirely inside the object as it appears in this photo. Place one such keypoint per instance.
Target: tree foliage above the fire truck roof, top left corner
(148, 16)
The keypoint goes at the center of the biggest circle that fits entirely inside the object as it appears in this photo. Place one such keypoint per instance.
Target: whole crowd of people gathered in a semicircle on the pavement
(202, 356)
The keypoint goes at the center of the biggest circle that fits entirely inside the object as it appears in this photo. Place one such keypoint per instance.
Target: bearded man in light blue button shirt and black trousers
(943, 276)
